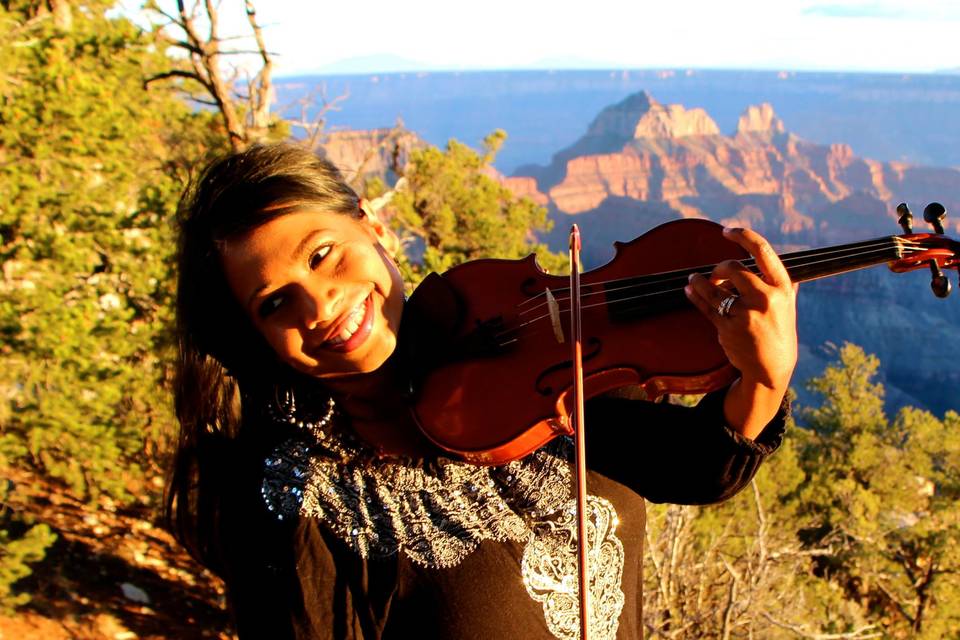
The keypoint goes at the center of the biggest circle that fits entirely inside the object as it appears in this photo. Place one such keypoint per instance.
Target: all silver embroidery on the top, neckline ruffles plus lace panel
(437, 513)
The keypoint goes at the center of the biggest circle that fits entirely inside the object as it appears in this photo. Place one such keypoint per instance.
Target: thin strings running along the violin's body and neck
(682, 276)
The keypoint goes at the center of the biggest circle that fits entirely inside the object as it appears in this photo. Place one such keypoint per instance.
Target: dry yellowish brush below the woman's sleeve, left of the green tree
(738, 570)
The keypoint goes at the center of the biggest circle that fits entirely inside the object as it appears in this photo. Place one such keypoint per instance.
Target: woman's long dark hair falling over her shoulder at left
(221, 356)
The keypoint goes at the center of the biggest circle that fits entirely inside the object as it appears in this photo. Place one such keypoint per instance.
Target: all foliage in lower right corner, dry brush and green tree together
(850, 531)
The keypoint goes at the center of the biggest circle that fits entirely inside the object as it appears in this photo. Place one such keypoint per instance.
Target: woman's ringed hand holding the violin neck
(757, 329)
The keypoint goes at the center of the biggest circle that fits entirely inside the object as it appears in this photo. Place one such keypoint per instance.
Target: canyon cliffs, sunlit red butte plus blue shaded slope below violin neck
(641, 163)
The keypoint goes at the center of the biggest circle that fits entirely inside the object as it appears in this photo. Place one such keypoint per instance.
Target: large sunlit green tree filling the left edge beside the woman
(91, 166)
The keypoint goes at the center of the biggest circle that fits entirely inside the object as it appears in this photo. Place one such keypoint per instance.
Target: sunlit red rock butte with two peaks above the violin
(796, 191)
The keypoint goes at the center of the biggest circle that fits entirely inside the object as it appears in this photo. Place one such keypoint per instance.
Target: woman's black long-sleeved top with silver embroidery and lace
(325, 542)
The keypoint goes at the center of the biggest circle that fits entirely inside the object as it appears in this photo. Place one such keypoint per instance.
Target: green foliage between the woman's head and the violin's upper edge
(454, 209)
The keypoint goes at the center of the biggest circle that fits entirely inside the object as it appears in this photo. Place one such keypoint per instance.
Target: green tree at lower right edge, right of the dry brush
(884, 496)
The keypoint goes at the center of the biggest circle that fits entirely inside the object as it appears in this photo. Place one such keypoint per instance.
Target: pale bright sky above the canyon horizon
(799, 35)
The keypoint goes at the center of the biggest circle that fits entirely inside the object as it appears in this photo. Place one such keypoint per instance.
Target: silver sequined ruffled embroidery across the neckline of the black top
(436, 515)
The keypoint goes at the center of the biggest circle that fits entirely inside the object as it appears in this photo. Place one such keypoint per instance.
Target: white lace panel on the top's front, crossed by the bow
(550, 572)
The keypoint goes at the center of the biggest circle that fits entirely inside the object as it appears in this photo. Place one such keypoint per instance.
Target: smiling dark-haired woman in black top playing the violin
(301, 479)
